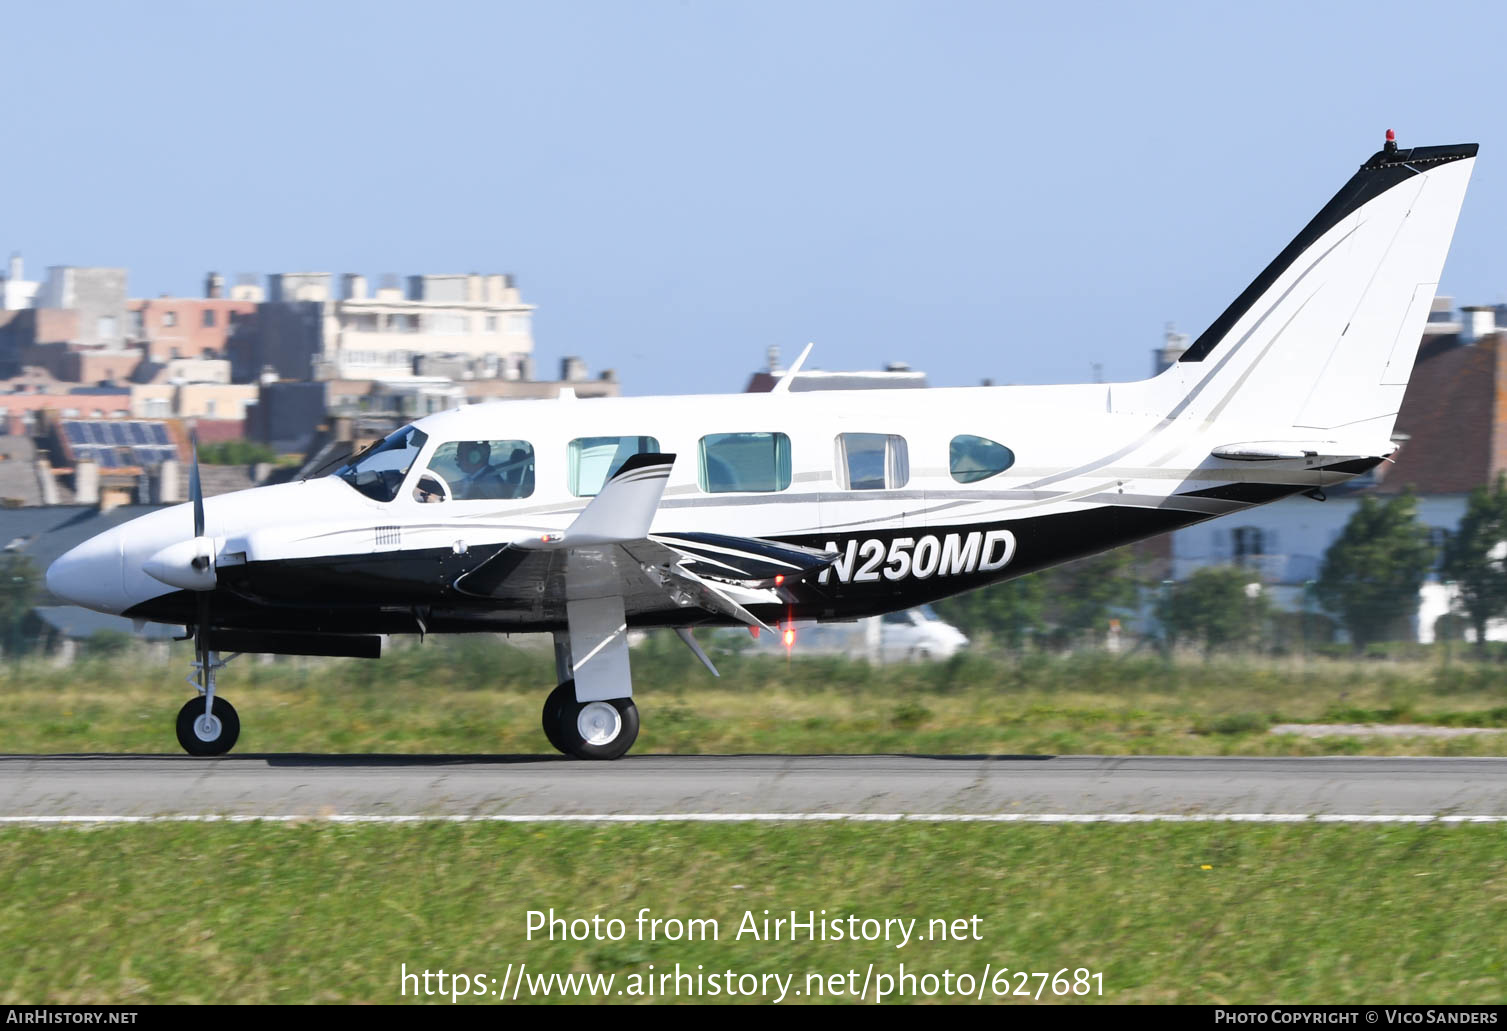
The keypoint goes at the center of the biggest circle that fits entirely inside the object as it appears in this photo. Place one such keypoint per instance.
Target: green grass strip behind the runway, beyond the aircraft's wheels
(475, 696)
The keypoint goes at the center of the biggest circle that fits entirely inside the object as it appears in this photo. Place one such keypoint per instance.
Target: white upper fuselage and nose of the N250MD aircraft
(1077, 448)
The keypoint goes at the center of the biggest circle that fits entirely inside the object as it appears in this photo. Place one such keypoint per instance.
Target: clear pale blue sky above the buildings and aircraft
(980, 189)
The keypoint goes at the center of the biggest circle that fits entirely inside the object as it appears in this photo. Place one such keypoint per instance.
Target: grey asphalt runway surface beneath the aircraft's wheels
(67, 788)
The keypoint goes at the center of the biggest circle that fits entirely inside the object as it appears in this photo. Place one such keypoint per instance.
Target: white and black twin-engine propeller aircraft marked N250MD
(584, 519)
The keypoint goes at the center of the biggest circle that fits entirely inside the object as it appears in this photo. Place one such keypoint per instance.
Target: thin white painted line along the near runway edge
(768, 818)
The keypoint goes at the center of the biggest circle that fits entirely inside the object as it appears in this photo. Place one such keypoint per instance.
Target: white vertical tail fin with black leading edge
(1322, 343)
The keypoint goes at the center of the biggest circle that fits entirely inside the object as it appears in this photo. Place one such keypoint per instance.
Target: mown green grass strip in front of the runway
(1166, 913)
